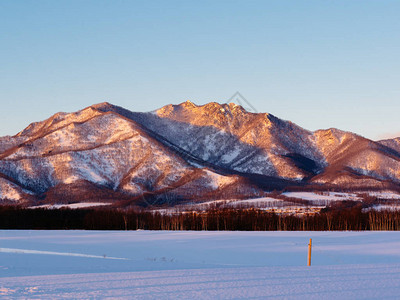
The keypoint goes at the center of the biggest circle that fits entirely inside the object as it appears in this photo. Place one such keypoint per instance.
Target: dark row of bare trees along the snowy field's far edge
(353, 218)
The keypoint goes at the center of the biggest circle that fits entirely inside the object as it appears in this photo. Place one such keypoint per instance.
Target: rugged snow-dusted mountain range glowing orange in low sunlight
(183, 152)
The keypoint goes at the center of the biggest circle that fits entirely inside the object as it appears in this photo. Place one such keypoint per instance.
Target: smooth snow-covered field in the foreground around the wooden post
(209, 265)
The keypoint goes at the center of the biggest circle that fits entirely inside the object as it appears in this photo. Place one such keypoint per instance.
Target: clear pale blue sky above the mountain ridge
(320, 64)
